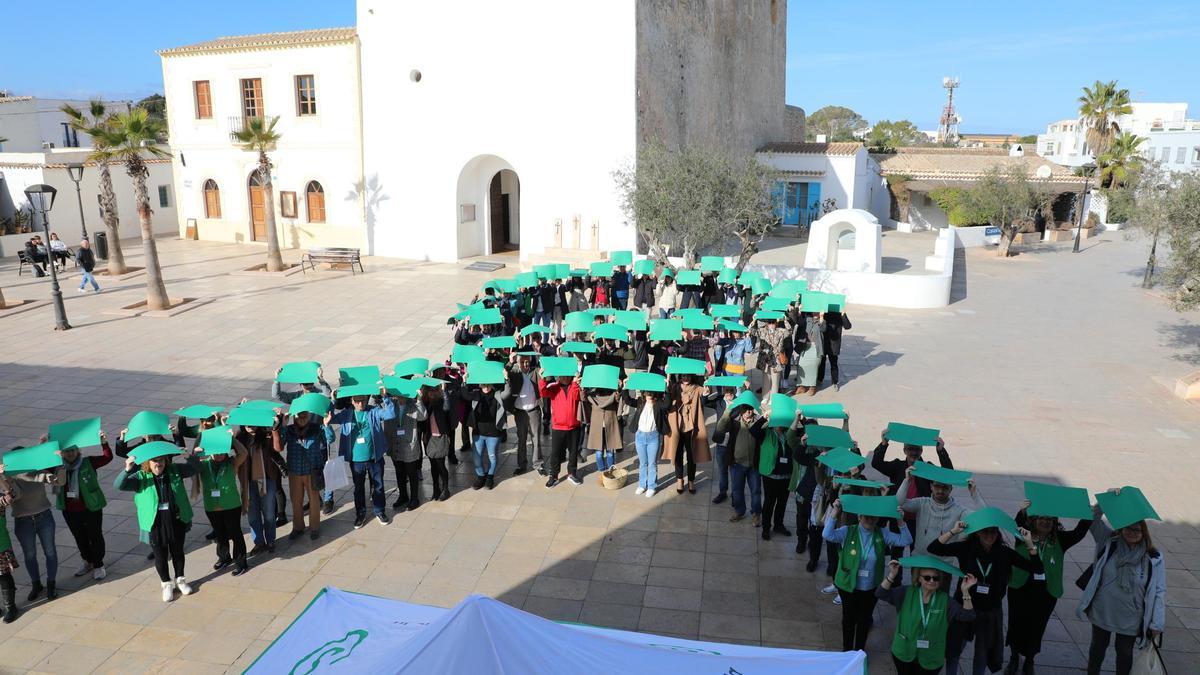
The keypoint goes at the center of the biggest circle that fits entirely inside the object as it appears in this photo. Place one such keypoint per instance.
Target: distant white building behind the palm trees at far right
(1172, 139)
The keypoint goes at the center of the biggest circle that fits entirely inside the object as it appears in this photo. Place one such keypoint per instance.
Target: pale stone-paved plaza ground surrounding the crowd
(1049, 366)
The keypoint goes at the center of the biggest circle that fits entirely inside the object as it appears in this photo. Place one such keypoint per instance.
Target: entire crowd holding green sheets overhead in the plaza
(584, 366)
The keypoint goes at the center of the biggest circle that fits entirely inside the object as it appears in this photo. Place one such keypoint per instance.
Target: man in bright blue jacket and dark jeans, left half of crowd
(363, 445)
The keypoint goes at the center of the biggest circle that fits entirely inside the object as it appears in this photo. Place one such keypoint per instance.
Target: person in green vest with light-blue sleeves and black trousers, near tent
(860, 570)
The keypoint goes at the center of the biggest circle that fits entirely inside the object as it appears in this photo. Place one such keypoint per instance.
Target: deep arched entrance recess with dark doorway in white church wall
(488, 208)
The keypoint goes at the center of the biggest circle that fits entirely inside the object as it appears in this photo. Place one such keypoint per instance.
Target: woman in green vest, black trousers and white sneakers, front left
(165, 513)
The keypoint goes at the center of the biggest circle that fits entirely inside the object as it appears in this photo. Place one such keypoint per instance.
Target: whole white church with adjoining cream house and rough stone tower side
(443, 132)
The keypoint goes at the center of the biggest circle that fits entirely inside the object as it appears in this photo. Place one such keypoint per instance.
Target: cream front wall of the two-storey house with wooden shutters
(325, 147)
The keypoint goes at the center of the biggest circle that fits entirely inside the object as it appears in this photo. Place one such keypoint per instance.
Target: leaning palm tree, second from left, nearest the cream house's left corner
(128, 138)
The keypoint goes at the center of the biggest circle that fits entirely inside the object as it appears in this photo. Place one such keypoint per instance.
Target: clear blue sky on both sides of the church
(1019, 70)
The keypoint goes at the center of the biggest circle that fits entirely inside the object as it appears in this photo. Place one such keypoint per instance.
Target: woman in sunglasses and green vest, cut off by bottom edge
(925, 614)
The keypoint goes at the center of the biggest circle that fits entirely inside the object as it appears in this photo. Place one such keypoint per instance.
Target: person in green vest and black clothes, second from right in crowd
(1034, 598)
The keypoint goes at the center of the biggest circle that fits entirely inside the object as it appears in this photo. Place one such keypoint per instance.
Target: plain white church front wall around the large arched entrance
(544, 88)
